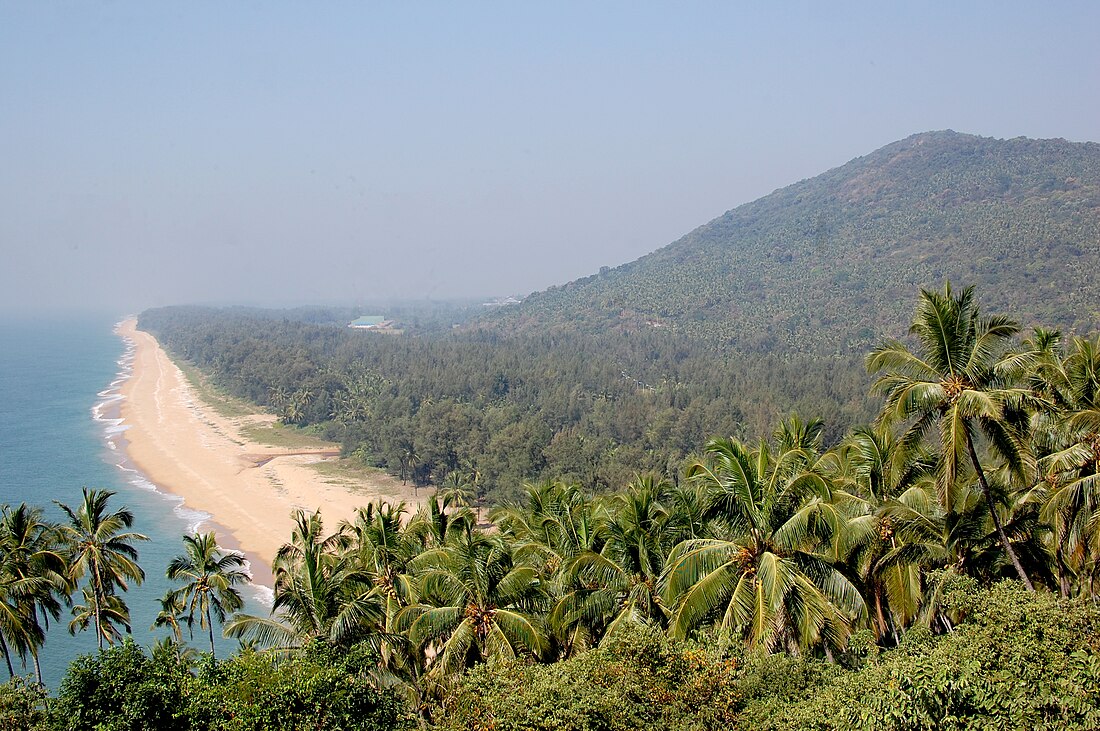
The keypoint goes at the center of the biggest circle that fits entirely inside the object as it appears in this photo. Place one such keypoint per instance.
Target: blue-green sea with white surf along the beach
(60, 431)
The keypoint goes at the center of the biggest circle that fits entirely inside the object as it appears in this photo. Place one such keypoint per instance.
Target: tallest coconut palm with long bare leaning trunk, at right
(960, 383)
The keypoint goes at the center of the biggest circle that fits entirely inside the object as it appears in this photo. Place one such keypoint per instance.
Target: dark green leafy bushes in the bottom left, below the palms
(123, 689)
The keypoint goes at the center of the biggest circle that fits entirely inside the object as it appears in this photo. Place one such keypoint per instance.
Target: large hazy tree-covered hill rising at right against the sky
(832, 264)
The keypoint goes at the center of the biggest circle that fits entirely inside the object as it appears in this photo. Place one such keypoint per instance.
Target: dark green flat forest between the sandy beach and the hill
(592, 409)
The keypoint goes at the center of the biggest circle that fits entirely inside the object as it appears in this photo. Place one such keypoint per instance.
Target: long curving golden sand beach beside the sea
(185, 447)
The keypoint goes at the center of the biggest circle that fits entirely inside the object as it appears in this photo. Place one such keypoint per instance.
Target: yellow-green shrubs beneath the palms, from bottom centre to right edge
(1017, 661)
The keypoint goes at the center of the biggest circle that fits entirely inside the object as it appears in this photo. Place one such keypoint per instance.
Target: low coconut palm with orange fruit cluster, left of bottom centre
(476, 604)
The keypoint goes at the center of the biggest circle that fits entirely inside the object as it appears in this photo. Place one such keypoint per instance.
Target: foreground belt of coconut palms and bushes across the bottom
(937, 569)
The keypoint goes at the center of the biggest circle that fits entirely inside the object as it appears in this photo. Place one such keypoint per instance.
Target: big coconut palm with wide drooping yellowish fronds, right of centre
(773, 580)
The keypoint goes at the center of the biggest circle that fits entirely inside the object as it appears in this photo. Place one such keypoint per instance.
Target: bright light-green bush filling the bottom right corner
(1017, 662)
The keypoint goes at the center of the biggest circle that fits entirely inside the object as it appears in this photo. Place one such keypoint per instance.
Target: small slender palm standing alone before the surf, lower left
(212, 578)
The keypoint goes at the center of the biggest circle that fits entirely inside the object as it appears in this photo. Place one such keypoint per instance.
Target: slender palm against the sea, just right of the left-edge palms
(102, 549)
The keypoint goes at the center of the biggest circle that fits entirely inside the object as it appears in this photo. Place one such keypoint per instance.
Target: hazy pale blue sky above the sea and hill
(157, 153)
